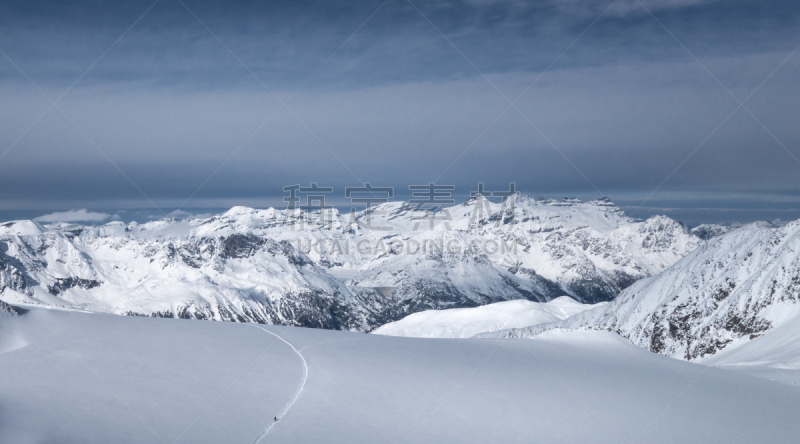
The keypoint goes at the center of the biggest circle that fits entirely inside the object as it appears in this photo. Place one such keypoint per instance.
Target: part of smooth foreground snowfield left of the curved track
(105, 378)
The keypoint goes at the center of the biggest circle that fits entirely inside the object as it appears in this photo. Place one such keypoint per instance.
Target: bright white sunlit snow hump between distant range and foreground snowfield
(467, 322)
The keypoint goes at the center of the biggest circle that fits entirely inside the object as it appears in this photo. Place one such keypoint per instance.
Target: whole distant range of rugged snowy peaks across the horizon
(337, 270)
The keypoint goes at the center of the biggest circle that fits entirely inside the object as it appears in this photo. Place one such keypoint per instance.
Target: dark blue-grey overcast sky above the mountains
(608, 100)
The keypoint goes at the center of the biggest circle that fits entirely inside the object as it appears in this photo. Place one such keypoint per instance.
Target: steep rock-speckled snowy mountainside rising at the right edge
(722, 296)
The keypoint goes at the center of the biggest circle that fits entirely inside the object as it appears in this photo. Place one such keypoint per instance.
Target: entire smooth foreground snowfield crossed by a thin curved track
(106, 378)
